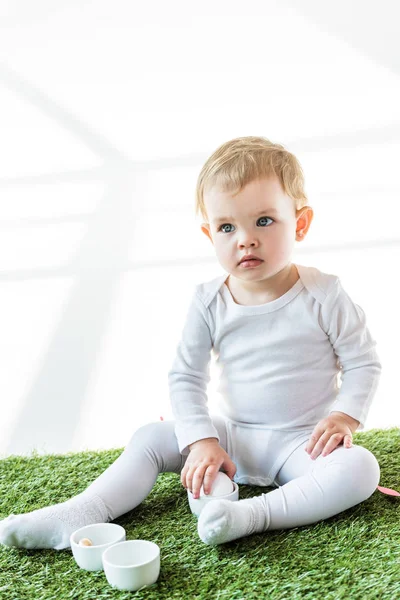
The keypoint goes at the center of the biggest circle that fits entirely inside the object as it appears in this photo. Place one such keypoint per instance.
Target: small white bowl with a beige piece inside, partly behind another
(102, 536)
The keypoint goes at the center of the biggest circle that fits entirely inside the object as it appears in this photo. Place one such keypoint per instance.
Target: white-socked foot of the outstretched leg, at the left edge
(51, 527)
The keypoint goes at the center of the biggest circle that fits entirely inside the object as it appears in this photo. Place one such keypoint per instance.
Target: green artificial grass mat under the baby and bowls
(355, 555)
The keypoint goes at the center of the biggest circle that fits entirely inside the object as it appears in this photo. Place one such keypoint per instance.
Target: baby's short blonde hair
(242, 160)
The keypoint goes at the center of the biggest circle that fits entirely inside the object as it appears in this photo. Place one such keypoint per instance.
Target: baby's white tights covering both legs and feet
(308, 491)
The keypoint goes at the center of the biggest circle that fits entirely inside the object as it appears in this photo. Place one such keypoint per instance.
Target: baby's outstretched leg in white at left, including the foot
(153, 449)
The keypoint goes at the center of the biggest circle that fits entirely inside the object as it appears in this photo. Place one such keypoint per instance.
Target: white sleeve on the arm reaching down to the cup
(188, 379)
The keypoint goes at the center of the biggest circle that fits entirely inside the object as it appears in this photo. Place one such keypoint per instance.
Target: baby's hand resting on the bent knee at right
(331, 432)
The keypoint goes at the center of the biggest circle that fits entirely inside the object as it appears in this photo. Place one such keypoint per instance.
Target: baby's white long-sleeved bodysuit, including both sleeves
(283, 366)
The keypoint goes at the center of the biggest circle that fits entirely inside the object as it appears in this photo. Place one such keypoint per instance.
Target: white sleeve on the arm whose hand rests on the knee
(345, 324)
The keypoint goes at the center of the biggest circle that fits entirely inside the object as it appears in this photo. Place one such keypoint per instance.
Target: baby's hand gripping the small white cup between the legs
(205, 459)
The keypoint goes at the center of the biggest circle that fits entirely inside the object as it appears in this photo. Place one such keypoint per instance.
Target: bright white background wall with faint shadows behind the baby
(108, 110)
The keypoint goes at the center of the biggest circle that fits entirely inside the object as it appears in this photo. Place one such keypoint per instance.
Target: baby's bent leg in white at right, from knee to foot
(310, 491)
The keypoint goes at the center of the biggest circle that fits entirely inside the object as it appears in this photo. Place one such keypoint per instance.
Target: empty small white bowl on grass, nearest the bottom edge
(132, 565)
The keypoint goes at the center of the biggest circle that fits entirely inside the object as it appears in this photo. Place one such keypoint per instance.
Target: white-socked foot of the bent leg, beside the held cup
(222, 521)
